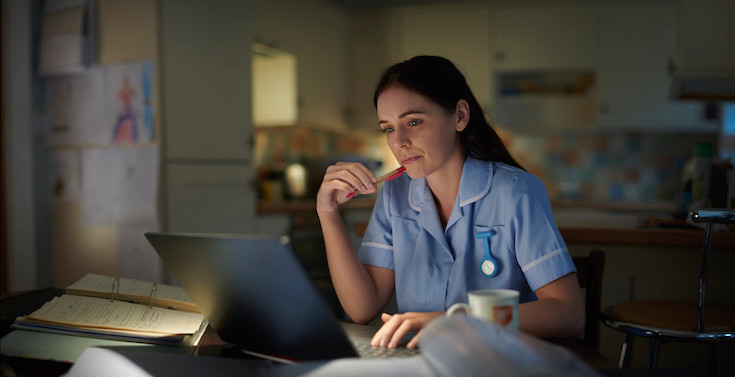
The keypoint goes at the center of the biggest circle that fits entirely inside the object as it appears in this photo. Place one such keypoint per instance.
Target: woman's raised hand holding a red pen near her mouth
(340, 180)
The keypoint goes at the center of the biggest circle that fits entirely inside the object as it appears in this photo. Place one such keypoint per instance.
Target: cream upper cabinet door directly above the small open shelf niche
(545, 37)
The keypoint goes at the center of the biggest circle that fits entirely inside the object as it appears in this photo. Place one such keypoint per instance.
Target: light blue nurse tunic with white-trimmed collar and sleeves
(436, 267)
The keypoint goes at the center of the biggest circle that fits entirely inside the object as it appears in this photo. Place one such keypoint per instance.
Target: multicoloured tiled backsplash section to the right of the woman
(608, 167)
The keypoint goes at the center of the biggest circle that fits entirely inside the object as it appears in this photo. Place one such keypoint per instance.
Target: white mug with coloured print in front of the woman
(499, 306)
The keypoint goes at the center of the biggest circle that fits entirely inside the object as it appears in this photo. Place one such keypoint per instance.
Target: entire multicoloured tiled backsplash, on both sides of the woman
(591, 167)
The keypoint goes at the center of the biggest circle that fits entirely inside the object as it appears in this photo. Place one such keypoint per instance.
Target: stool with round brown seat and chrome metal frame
(664, 321)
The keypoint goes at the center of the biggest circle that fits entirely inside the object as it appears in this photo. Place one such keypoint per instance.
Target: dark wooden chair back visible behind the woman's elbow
(589, 274)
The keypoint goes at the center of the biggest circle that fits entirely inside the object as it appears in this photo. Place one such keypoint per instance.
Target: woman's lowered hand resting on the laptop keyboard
(397, 326)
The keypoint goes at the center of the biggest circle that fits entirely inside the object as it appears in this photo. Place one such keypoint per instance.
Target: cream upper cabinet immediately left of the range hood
(636, 42)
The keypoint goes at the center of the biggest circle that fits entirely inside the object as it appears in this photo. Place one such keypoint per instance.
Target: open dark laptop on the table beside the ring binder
(255, 294)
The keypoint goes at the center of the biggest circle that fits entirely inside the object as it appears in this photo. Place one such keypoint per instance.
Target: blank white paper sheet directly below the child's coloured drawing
(120, 186)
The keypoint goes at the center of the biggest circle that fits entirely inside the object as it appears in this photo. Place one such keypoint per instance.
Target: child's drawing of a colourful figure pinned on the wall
(107, 104)
